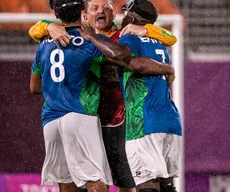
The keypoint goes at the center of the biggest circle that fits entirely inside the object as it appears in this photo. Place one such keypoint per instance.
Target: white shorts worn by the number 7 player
(153, 156)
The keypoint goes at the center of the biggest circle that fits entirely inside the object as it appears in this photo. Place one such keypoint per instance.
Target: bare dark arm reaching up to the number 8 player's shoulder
(106, 46)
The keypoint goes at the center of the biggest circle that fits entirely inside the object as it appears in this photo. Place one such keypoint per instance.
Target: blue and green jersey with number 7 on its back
(149, 107)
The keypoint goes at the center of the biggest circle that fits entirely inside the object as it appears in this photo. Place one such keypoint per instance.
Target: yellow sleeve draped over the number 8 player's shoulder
(39, 30)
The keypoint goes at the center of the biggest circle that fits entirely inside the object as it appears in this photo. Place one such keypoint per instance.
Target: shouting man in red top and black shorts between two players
(99, 14)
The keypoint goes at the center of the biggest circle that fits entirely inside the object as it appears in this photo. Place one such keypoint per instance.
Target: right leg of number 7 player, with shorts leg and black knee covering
(171, 152)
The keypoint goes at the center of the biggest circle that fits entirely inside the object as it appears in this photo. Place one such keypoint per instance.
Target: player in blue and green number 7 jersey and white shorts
(153, 123)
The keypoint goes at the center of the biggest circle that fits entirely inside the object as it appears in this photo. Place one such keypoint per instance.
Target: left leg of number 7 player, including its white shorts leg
(146, 161)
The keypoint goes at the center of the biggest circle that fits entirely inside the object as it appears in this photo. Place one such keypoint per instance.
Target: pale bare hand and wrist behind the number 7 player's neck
(134, 30)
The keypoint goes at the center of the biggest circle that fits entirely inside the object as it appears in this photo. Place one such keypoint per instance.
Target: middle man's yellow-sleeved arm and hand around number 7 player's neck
(152, 31)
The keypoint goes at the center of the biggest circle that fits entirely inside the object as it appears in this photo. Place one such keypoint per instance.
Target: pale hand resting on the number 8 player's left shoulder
(59, 34)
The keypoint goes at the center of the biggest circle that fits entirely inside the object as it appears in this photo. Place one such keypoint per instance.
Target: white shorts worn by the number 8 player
(75, 151)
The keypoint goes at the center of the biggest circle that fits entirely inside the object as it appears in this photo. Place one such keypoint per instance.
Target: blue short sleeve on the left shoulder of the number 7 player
(133, 42)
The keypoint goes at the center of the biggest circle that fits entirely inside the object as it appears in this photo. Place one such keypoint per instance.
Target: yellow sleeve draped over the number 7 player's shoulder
(164, 36)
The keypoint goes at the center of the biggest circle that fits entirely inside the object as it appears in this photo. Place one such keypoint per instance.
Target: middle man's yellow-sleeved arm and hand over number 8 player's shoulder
(45, 27)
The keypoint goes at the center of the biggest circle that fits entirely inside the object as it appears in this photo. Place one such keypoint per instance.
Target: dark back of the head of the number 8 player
(68, 10)
